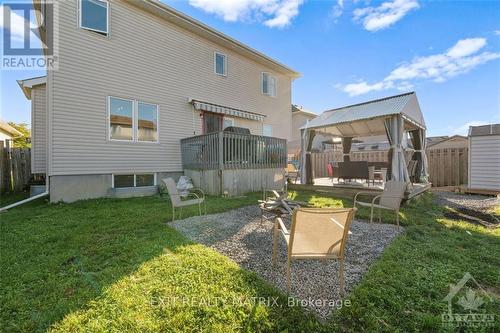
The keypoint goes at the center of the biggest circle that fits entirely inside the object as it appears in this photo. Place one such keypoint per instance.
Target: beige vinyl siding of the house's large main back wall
(148, 59)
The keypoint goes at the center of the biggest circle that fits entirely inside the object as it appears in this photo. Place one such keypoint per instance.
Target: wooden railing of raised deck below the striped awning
(227, 150)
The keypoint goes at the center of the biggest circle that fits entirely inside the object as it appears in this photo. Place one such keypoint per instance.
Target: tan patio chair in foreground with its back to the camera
(316, 233)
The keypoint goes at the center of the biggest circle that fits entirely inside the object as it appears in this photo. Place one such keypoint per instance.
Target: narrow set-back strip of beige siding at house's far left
(38, 130)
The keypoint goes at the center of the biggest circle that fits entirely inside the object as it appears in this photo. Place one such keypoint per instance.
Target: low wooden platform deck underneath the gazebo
(348, 190)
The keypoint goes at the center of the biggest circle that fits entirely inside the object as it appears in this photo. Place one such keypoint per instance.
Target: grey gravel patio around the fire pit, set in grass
(239, 235)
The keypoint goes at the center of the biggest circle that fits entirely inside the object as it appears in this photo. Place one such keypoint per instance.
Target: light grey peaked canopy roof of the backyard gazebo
(365, 118)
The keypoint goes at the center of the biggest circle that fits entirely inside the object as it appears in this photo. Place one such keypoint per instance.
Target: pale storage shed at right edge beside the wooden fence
(484, 157)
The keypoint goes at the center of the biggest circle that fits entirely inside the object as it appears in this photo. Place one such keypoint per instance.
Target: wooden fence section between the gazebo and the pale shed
(448, 166)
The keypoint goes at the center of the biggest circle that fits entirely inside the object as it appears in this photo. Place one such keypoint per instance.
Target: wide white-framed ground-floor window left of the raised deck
(131, 120)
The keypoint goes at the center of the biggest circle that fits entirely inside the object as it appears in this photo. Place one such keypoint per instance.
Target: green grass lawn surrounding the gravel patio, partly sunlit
(113, 265)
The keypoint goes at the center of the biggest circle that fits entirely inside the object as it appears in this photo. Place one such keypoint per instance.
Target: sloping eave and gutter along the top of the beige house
(201, 29)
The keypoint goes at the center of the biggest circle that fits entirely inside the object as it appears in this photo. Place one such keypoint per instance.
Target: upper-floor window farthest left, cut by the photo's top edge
(94, 15)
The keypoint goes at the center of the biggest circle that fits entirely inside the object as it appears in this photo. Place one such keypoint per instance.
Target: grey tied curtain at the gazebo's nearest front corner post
(394, 127)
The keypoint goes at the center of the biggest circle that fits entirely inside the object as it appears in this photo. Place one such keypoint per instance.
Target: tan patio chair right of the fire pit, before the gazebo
(390, 199)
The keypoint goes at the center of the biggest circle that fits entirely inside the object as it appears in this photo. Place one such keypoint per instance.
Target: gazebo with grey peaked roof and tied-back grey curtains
(393, 117)
